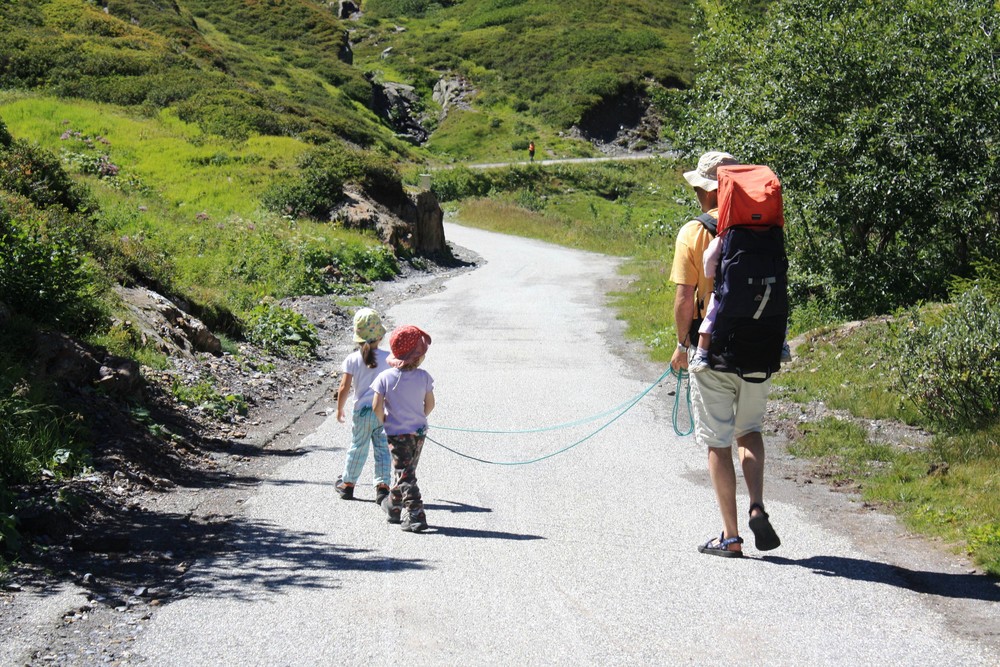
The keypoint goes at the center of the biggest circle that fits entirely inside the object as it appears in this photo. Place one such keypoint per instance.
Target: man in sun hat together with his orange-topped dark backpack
(730, 395)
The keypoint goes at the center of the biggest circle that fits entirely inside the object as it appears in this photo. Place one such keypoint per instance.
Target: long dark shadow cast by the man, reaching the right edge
(964, 586)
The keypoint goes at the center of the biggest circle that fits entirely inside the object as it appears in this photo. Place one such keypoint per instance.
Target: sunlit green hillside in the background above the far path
(537, 66)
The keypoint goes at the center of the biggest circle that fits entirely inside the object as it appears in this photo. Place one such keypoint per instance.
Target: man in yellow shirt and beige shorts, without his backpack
(726, 407)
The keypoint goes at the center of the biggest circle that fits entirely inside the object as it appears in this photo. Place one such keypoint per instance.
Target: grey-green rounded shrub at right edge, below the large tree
(949, 361)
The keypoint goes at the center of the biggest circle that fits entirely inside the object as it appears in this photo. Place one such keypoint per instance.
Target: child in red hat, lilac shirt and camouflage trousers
(404, 396)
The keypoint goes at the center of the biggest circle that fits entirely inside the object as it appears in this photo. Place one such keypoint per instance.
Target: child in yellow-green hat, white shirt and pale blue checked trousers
(360, 369)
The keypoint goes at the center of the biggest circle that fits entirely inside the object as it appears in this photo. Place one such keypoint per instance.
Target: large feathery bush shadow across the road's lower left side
(169, 555)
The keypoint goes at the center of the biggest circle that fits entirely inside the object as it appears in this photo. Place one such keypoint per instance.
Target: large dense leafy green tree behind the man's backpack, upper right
(883, 121)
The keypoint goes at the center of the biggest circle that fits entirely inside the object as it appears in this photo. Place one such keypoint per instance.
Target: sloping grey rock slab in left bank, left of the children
(161, 322)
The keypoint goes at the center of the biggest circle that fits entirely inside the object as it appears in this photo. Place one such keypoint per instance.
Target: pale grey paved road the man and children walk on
(588, 557)
